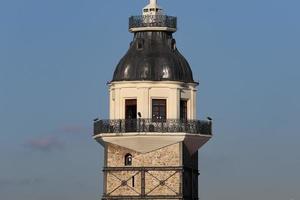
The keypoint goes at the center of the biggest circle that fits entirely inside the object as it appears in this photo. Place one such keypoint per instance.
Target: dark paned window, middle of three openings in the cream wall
(159, 109)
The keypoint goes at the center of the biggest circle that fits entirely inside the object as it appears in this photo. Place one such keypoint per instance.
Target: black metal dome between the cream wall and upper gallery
(153, 56)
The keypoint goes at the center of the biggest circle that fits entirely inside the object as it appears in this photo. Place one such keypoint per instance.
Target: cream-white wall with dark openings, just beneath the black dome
(145, 91)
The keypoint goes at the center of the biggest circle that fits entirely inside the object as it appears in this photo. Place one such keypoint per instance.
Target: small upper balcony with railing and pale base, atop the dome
(152, 22)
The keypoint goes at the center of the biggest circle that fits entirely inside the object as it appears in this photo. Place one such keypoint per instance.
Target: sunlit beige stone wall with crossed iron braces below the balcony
(156, 182)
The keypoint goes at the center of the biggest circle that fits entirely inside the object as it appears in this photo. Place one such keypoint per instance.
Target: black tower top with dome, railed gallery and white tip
(152, 55)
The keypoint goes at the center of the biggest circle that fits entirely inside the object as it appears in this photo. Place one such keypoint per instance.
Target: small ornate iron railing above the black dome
(152, 21)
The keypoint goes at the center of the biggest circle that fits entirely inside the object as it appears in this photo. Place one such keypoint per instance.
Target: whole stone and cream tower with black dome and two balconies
(152, 136)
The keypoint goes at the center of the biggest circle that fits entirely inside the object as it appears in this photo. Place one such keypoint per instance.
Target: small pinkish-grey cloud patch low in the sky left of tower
(45, 144)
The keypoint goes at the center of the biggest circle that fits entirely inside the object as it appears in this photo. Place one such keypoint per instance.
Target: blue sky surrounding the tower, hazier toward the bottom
(57, 56)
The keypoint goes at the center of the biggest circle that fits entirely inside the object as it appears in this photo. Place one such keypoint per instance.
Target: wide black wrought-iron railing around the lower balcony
(153, 125)
